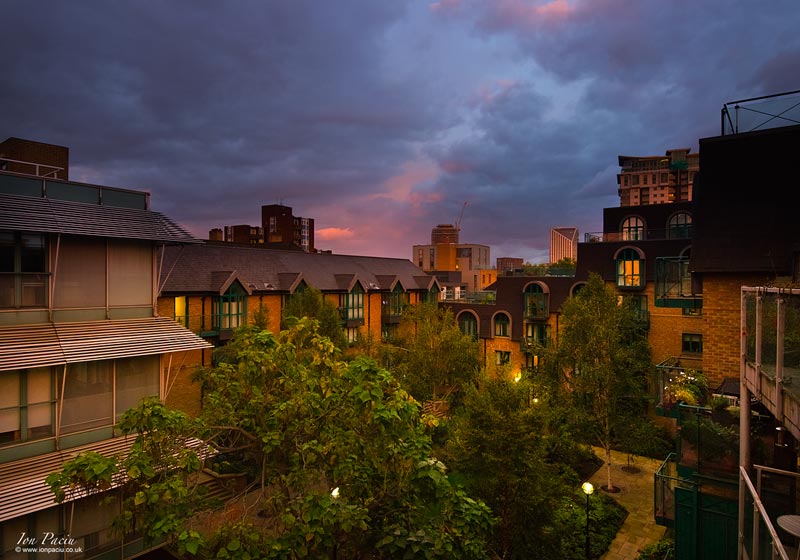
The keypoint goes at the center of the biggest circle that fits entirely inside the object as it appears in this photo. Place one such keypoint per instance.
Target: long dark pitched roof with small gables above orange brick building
(190, 269)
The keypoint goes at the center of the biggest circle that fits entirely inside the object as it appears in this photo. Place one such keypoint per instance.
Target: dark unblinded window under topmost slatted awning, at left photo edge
(23, 270)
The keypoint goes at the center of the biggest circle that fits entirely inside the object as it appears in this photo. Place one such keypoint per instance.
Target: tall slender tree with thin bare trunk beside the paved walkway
(601, 363)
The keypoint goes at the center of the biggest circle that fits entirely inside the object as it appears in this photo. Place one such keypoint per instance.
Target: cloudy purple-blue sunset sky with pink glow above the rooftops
(380, 118)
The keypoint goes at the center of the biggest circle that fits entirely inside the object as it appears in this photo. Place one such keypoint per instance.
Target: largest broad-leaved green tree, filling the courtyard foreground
(337, 459)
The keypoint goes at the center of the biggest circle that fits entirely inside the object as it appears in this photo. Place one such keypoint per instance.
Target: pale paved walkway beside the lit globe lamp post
(636, 494)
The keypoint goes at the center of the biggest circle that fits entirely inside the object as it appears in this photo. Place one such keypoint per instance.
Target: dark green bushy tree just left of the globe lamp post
(498, 446)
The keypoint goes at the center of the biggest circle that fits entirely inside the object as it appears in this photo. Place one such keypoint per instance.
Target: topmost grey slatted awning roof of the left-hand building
(48, 215)
